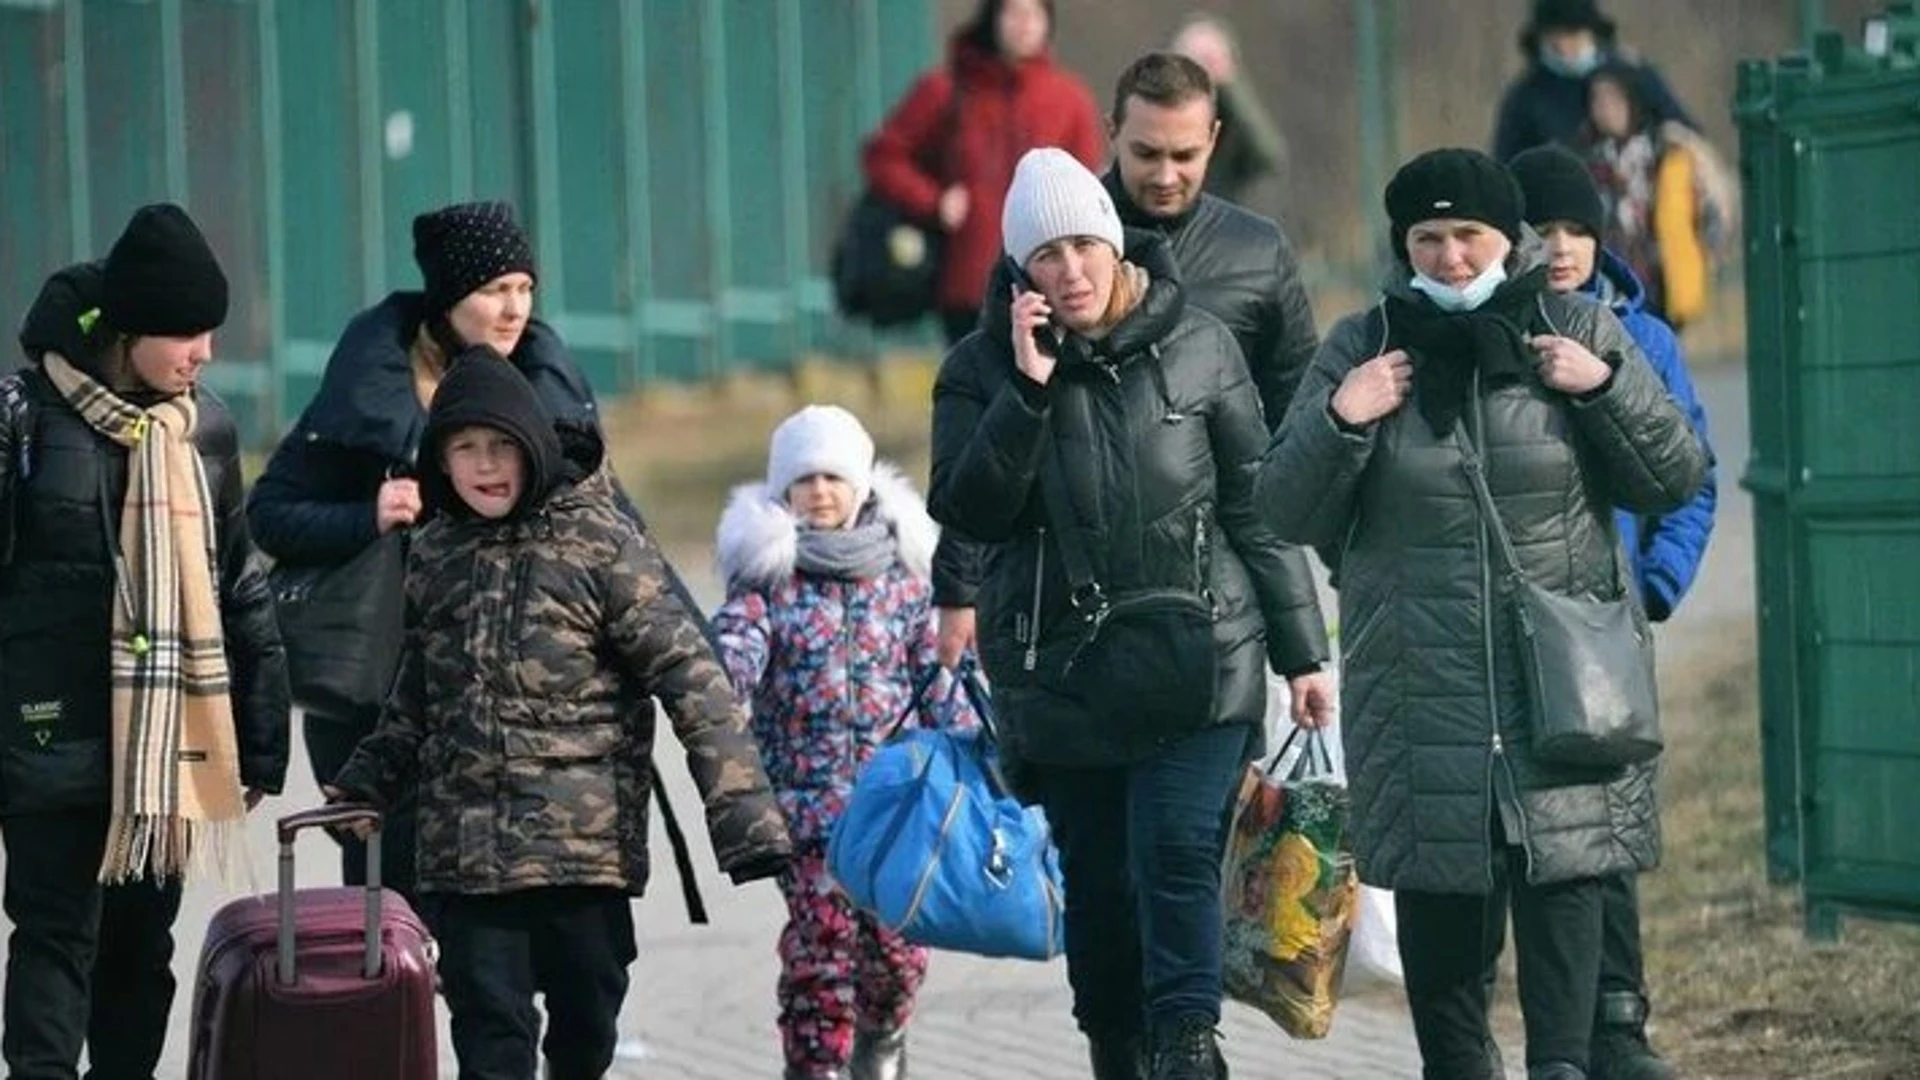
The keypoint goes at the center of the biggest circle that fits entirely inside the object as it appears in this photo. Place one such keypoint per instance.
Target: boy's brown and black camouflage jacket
(521, 708)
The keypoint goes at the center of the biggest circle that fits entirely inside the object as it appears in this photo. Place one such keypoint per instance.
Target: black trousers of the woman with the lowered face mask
(1451, 946)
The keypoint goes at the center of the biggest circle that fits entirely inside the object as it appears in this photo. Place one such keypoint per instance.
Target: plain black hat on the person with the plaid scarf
(162, 278)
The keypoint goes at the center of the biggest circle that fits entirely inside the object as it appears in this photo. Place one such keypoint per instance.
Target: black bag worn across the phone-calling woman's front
(1140, 660)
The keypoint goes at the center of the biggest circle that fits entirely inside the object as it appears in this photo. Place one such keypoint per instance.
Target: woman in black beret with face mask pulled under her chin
(1454, 812)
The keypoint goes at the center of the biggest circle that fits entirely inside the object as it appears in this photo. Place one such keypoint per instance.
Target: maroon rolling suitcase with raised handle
(331, 983)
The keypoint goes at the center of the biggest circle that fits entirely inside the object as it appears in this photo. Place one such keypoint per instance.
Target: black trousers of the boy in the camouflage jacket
(496, 952)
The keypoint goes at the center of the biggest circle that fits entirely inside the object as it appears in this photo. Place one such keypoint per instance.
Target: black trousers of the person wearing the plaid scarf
(87, 964)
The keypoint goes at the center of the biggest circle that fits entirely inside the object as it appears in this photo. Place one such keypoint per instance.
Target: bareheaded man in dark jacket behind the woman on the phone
(1236, 264)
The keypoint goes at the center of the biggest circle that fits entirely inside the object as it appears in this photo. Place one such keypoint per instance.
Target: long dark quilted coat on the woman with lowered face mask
(1433, 700)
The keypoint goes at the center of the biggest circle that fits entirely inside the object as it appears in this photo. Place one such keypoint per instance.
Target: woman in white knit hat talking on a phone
(1103, 435)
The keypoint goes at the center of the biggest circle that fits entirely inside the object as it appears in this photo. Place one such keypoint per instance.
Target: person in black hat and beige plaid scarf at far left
(143, 687)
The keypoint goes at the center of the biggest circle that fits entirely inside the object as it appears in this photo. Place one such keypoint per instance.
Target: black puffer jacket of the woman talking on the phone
(1157, 433)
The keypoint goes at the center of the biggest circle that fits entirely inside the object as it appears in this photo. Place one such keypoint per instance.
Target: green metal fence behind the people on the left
(683, 164)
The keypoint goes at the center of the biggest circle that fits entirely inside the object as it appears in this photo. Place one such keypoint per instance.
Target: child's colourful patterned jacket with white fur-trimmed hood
(828, 664)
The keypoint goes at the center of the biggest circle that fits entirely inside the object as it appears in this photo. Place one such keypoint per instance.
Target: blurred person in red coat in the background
(949, 149)
